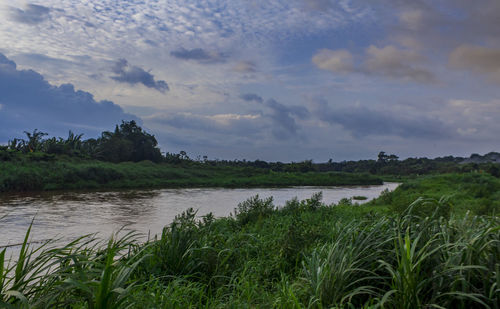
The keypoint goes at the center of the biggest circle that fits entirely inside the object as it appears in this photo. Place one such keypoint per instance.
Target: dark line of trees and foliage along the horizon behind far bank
(129, 142)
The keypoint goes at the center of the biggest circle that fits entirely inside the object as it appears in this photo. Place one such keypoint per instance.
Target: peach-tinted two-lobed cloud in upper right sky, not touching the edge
(389, 61)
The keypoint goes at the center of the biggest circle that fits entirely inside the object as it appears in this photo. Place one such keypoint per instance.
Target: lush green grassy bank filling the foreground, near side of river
(302, 255)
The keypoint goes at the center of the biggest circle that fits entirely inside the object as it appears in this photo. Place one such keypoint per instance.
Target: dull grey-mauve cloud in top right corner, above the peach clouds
(443, 24)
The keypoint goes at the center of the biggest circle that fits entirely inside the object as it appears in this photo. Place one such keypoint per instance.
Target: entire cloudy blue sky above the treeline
(278, 80)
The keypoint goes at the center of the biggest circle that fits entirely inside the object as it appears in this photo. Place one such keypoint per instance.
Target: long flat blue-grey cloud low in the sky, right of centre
(362, 121)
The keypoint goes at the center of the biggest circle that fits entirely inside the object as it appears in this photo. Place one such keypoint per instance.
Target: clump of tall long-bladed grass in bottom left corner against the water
(83, 273)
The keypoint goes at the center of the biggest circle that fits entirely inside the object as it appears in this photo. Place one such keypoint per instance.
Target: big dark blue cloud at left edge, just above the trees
(29, 102)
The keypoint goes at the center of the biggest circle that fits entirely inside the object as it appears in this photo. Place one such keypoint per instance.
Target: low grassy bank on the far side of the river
(39, 173)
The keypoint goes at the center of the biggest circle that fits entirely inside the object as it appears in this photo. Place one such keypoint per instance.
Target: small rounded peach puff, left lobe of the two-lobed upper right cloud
(334, 60)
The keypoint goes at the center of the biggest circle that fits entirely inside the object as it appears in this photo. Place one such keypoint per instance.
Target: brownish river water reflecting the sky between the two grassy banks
(67, 215)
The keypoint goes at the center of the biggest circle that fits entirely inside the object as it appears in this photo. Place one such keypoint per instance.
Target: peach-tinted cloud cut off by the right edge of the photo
(479, 59)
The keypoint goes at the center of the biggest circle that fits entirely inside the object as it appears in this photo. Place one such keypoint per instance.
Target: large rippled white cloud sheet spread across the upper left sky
(146, 32)
